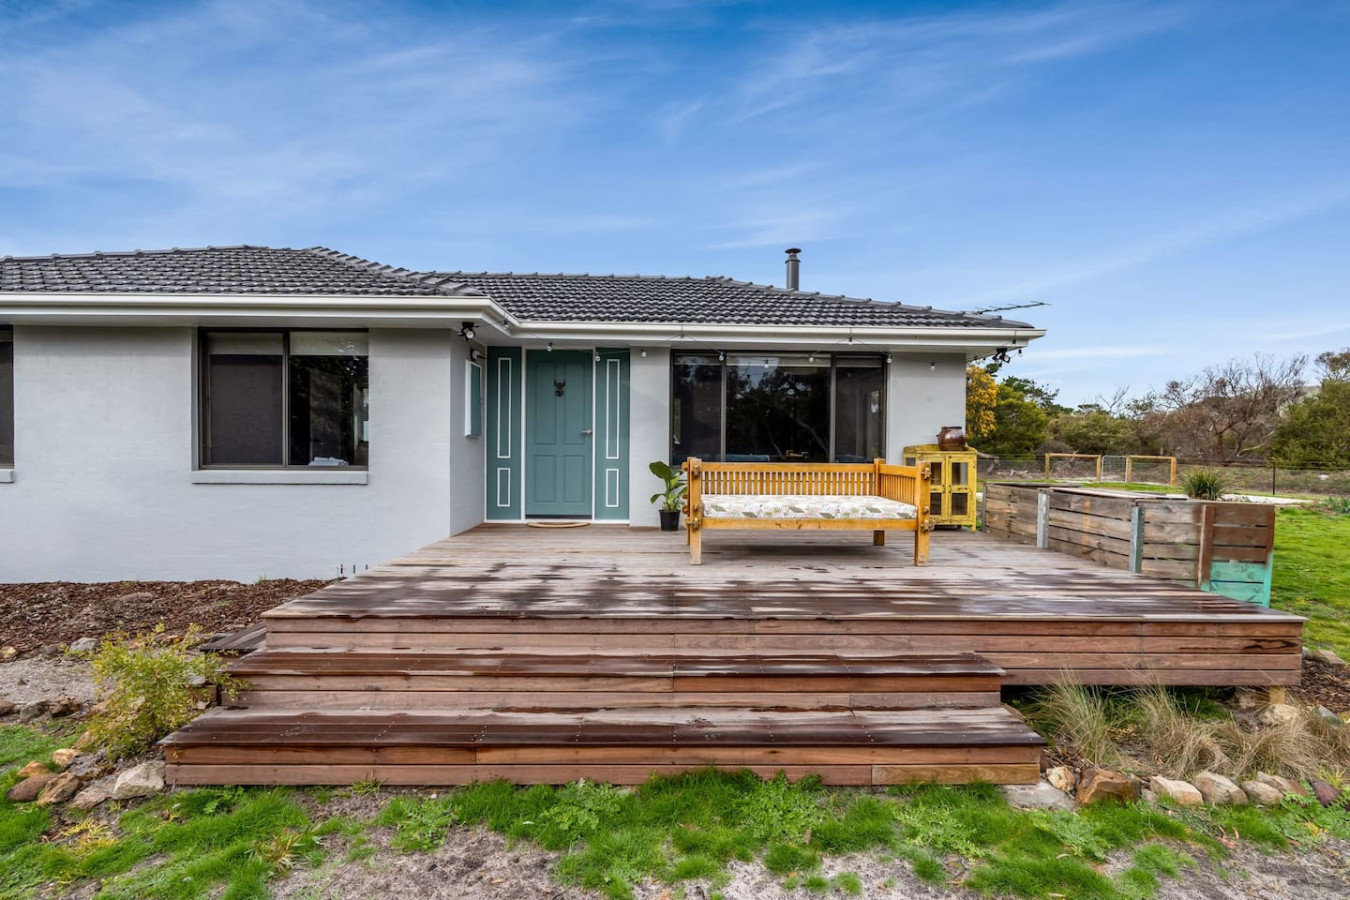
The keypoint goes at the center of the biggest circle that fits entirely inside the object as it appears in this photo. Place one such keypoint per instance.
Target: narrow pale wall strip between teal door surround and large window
(650, 438)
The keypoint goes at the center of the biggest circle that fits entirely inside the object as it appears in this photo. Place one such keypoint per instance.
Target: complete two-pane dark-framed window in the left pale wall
(286, 399)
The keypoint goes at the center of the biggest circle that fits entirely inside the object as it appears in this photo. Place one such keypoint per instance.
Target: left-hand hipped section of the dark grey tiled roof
(218, 271)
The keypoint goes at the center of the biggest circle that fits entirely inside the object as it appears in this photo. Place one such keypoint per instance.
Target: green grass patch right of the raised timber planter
(1313, 574)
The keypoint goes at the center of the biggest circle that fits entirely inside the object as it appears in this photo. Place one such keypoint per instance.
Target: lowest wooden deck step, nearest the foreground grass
(626, 747)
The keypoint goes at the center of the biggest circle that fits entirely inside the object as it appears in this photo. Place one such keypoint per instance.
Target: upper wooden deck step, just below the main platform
(326, 679)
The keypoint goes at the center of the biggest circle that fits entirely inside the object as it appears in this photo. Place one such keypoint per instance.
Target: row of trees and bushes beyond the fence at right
(1248, 411)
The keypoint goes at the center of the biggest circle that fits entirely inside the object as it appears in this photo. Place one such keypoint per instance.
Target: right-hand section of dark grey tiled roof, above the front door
(646, 299)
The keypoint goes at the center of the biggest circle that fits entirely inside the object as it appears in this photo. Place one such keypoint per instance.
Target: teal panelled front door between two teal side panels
(558, 434)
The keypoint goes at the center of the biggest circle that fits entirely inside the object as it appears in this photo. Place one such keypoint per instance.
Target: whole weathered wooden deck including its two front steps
(547, 655)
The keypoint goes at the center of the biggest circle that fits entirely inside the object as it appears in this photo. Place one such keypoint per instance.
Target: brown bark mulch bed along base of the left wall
(34, 616)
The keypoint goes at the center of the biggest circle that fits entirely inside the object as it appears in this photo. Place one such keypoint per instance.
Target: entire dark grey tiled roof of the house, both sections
(529, 298)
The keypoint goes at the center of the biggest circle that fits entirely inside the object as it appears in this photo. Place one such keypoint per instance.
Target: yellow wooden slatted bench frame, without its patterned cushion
(905, 484)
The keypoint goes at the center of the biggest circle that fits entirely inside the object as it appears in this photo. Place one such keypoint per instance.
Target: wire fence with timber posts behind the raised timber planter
(1243, 480)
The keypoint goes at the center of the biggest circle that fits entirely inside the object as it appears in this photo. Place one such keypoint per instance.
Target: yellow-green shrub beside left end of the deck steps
(151, 687)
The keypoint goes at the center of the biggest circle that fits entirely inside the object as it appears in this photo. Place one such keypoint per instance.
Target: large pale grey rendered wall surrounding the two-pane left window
(103, 468)
